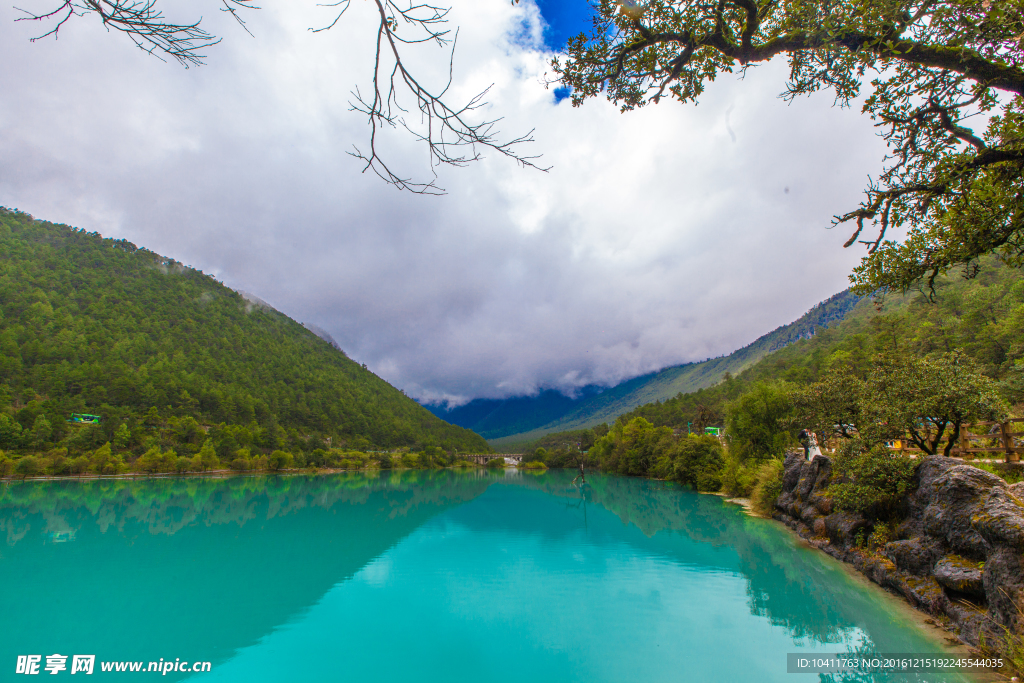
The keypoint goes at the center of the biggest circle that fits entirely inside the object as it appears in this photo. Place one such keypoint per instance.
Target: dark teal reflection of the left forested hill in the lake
(194, 567)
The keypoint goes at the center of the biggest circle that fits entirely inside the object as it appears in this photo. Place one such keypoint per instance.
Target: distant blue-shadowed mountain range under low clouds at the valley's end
(527, 419)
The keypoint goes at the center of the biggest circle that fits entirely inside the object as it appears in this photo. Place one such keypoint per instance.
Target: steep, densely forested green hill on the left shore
(98, 326)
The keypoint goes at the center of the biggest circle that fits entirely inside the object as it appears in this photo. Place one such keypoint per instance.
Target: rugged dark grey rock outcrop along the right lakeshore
(959, 552)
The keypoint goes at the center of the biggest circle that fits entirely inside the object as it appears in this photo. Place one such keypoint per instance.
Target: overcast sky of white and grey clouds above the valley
(660, 237)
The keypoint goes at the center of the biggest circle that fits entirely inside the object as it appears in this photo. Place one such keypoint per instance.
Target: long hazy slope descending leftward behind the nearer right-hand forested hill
(670, 382)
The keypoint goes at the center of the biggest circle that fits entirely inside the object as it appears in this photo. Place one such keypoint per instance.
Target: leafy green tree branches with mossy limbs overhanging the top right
(945, 81)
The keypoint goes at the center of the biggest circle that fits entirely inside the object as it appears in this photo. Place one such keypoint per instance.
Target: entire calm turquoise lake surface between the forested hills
(424, 577)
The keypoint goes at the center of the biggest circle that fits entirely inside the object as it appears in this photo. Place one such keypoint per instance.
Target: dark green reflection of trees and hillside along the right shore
(792, 586)
